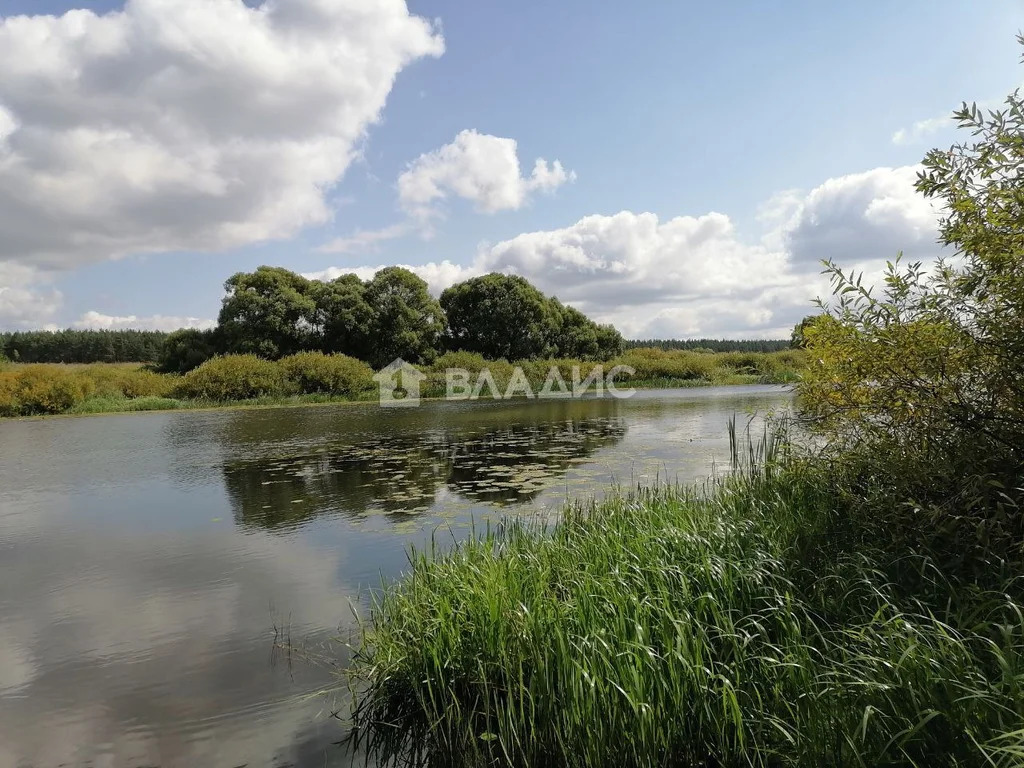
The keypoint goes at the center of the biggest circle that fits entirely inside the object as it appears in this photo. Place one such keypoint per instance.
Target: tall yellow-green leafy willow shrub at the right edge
(918, 385)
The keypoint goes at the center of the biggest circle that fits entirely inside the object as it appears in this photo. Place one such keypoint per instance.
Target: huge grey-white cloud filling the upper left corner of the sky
(187, 124)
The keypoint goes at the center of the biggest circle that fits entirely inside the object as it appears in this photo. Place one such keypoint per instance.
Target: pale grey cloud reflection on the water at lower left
(112, 647)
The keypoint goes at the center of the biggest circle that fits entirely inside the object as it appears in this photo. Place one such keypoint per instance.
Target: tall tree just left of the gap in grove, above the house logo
(407, 321)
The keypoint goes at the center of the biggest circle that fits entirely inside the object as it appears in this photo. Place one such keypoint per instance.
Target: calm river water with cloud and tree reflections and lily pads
(151, 561)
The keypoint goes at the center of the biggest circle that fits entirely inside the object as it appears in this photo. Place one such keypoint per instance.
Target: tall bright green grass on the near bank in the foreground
(732, 625)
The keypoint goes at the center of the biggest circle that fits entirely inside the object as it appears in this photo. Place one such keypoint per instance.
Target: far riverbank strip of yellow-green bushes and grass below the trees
(313, 378)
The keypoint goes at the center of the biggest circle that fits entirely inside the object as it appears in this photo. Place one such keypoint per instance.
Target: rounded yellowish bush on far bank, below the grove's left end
(234, 377)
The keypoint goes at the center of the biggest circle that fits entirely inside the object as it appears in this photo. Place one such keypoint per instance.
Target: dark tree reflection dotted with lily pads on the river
(402, 475)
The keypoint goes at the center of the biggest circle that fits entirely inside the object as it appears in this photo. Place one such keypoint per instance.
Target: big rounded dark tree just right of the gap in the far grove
(497, 316)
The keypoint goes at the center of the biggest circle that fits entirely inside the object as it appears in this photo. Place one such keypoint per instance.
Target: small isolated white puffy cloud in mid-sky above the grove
(478, 167)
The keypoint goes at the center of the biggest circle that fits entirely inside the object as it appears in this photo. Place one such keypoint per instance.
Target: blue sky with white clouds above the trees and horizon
(678, 169)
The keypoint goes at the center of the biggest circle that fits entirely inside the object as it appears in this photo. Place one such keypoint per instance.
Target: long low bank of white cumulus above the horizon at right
(695, 276)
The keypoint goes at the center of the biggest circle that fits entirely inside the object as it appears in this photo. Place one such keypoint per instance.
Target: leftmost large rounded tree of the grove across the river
(271, 313)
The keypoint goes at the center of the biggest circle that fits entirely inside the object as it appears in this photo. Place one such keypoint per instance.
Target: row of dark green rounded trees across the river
(274, 313)
